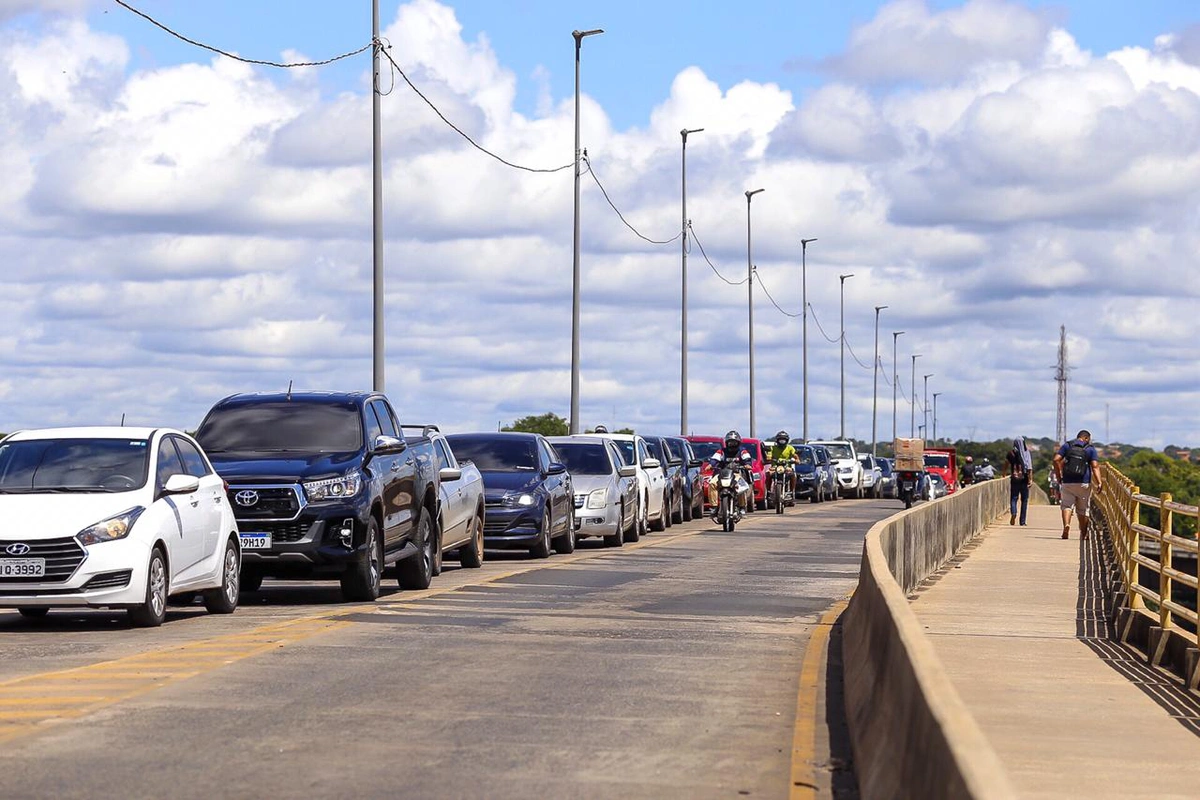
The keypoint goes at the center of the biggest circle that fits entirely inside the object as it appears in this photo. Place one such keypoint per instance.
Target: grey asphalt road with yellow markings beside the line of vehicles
(663, 670)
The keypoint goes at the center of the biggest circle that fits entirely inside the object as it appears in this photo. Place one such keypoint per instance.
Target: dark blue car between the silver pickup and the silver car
(529, 500)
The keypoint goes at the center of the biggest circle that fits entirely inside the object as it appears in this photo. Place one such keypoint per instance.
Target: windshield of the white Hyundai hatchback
(74, 466)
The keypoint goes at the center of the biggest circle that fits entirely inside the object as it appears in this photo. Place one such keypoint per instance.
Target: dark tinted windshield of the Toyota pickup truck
(283, 428)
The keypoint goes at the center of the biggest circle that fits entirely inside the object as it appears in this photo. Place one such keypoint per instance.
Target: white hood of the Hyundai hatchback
(37, 518)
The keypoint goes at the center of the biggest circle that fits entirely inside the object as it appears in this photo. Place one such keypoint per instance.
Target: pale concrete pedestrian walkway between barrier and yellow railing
(1019, 624)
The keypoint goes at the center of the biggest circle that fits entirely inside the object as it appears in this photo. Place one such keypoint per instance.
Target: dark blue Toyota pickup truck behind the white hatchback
(326, 485)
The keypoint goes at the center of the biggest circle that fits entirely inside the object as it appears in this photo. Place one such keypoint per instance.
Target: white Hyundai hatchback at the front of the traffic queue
(115, 519)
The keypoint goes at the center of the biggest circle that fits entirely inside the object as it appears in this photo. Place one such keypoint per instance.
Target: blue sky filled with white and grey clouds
(177, 226)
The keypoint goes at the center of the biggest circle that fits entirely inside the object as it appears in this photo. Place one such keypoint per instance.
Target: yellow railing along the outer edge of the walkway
(1124, 508)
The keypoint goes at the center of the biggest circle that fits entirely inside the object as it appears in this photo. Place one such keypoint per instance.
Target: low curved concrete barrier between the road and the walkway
(911, 733)
